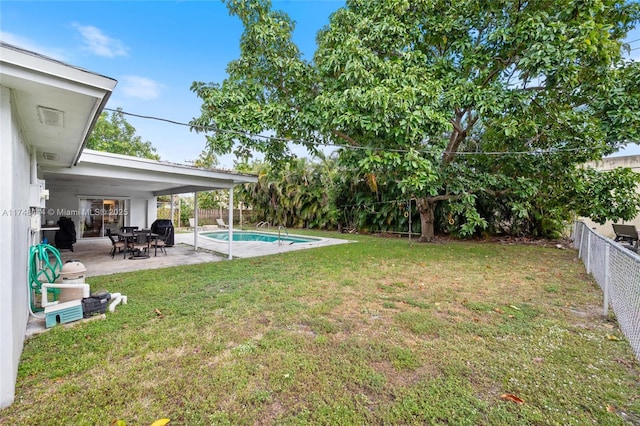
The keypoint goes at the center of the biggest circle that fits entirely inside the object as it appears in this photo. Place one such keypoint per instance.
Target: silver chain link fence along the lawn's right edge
(616, 269)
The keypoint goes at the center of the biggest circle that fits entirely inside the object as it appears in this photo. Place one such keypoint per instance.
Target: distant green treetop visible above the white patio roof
(114, 134)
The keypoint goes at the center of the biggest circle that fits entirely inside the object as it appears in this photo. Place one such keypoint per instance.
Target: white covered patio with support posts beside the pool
(132, 184)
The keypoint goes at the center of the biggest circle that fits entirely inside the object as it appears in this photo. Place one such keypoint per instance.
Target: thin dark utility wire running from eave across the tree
(342, 146)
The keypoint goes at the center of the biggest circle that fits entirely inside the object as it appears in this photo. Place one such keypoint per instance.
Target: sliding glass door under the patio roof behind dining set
(98, 215)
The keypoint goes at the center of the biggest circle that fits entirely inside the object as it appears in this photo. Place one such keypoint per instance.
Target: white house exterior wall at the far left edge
(15, 228)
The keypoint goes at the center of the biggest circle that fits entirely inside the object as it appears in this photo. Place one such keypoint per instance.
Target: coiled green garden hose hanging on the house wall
(42, 269)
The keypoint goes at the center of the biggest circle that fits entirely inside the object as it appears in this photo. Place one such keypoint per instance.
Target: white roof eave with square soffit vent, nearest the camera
(57, 104)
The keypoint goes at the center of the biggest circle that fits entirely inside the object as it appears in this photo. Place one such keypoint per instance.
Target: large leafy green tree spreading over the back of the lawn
(456, 101)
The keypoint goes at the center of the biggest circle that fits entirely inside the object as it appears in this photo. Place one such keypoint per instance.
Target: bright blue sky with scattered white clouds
(156, 50)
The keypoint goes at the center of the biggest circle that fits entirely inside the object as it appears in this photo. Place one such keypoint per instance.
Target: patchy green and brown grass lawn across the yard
(375, 332)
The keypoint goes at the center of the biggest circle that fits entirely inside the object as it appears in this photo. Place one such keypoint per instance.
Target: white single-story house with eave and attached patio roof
(47, 112)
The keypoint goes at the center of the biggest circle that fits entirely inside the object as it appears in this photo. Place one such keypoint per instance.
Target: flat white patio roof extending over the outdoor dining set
(114, 175)
